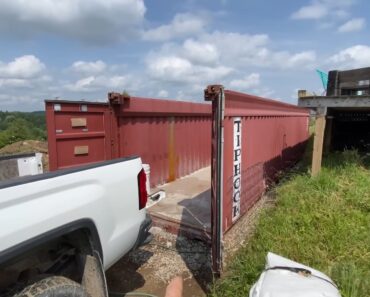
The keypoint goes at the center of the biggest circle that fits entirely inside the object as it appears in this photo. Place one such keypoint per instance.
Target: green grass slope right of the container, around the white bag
(323, 222)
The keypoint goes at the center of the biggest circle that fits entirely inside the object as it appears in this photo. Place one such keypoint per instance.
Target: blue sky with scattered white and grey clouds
(83, 49)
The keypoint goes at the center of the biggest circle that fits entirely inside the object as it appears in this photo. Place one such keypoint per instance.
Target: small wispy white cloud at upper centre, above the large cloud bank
(183, 24)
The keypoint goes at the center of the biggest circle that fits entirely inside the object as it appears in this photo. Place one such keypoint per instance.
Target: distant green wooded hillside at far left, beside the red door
(17, 126)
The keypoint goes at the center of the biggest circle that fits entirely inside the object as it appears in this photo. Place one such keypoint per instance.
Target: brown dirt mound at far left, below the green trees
(28, 146)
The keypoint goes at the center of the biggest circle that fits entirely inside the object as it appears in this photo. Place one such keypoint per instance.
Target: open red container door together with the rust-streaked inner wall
(161, 132)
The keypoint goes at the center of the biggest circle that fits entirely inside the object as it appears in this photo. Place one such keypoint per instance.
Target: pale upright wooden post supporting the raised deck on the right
(318, 142)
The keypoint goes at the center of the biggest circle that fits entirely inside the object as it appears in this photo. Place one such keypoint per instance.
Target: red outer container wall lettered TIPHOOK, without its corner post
(269, 135)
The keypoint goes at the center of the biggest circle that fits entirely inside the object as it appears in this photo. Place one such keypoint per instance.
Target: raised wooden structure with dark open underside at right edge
(343, 115)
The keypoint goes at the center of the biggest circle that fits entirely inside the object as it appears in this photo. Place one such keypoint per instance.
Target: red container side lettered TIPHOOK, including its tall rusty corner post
(253, 139)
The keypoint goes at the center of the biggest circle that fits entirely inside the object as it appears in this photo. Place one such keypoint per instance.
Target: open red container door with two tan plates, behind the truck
(78, 133)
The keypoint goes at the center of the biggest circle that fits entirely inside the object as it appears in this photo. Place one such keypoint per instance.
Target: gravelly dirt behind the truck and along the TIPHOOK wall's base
(150, 268)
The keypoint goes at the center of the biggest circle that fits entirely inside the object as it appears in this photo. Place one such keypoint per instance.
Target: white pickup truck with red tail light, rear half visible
(59, 231)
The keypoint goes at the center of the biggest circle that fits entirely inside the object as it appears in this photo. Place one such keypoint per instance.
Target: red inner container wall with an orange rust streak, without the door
(173, 137)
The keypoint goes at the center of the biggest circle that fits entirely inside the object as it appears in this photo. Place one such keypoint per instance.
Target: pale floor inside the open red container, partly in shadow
(187, 206)
